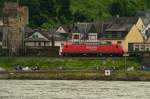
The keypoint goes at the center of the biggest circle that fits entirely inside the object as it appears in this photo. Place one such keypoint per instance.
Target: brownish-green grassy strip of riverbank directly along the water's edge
(77, 75)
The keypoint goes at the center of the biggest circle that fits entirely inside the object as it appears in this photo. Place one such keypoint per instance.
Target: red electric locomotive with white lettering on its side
(72, 49)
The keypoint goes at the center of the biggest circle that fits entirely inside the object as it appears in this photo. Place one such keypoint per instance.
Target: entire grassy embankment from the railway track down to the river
(86, 68)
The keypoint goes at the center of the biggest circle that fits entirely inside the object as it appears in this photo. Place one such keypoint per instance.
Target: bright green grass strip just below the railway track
(67, 63)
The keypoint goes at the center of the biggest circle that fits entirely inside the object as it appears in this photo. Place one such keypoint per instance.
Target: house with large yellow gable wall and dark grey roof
(123, 34)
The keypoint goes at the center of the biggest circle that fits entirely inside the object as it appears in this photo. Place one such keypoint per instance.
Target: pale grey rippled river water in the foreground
(47, 89)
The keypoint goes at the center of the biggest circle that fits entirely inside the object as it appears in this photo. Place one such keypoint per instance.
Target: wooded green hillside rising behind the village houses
(51, 13)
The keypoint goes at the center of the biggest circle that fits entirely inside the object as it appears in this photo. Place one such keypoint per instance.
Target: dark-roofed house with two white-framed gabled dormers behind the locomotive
(85, 32)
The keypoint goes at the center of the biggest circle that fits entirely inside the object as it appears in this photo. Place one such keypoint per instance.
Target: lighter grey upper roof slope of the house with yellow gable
(120, 28)
